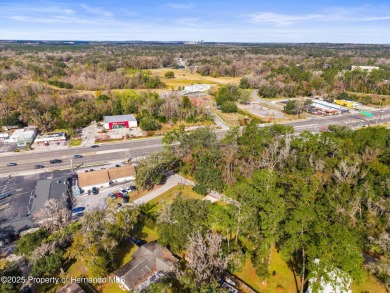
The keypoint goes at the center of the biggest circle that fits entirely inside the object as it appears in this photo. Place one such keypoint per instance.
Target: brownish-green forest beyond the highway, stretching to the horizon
(61, 86)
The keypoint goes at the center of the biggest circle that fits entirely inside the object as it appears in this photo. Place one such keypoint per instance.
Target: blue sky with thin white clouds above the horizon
(335, 21)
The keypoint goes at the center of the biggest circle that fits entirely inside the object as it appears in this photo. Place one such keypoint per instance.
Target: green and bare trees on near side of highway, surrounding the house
(315, 196)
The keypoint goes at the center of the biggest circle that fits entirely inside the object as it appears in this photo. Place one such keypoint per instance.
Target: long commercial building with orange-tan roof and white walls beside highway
(103, 178)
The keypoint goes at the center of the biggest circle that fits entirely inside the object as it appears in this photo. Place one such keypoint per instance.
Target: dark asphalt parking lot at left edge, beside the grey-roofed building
(22, 189)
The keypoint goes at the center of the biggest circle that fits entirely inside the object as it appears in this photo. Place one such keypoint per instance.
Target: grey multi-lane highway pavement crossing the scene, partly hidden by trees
(136, 148)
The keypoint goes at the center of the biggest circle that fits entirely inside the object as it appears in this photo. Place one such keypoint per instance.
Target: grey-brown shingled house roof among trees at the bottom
(147, 260)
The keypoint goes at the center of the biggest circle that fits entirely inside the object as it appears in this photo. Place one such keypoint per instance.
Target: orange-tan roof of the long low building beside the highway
(104, 176)
